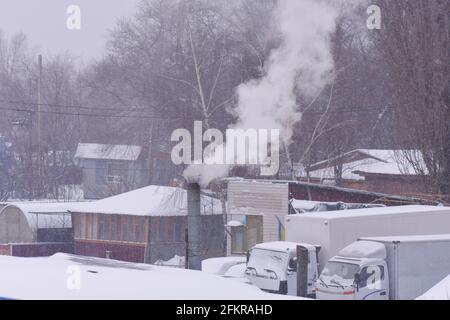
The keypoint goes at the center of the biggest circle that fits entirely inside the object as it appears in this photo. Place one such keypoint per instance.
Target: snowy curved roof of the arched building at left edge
(45, 214)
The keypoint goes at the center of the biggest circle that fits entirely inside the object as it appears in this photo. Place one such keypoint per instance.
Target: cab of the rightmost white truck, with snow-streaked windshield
(358, 272)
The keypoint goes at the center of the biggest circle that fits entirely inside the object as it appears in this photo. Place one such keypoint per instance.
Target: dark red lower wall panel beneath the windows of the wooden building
(119, 251)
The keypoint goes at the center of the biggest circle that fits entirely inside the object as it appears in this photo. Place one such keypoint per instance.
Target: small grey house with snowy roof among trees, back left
(111, 169)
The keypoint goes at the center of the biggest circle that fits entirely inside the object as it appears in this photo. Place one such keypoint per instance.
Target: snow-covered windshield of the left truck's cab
(264, 261)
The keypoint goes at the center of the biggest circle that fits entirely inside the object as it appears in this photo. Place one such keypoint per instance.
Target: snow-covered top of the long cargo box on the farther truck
(371, 212)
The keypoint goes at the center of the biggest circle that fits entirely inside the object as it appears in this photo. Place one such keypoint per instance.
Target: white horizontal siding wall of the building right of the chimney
(264, 198)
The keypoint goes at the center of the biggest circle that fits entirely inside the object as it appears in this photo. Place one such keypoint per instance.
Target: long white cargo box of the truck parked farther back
(333, 231)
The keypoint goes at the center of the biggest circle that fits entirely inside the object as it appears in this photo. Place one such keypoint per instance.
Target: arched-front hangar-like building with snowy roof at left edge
(30, 229)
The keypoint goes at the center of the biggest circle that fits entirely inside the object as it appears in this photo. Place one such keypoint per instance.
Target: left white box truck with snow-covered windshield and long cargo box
(325, 233)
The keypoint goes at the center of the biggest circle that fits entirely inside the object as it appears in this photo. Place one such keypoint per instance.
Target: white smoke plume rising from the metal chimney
(300, 67)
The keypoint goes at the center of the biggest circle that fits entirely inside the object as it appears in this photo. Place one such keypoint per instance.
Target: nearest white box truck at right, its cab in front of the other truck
(381, 268)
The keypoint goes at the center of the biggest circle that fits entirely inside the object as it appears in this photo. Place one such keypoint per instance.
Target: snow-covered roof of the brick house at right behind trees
(371, 161)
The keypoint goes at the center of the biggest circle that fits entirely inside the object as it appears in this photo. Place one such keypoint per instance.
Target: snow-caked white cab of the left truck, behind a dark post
(272, 266)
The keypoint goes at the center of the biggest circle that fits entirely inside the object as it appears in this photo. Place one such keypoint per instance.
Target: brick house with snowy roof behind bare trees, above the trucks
(387, 171)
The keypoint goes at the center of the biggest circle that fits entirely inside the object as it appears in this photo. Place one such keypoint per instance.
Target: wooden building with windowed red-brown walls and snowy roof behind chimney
(145, 225)
